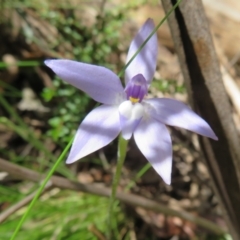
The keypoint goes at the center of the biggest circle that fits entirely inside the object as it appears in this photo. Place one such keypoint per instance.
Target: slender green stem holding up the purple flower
(122, 151)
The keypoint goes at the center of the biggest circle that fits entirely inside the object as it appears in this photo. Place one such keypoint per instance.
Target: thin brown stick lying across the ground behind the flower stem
(134, 200)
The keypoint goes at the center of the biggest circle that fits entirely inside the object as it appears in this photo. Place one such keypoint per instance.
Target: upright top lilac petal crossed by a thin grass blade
(145, 61)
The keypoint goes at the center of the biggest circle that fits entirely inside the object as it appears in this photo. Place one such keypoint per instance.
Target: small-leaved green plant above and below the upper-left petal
(92, 44)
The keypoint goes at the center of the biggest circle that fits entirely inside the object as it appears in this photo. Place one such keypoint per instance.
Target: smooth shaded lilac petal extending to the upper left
(100, 83)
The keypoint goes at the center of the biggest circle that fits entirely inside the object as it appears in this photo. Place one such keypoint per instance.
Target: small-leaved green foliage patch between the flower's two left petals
(69, 110)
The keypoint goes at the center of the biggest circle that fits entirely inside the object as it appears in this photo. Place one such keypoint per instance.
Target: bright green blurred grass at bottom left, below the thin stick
(63, 215)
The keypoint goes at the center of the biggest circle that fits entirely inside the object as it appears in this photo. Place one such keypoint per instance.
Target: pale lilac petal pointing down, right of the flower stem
(153, 140)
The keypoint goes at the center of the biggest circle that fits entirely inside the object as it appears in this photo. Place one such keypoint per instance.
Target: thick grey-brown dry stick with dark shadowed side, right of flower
(199, 64)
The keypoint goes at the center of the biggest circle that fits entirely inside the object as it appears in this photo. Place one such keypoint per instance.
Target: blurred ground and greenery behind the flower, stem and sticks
(39, 114)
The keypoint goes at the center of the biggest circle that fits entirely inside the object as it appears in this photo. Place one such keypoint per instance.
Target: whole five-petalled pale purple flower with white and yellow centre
(126, 110)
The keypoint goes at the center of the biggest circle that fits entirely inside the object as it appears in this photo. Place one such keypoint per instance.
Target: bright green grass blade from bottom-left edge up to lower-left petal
(46, 180)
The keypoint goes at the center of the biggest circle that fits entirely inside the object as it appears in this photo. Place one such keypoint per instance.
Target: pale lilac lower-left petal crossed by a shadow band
(98, 129)
